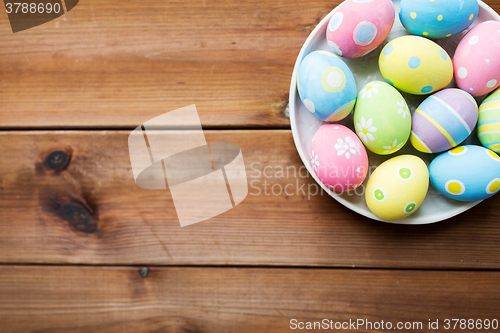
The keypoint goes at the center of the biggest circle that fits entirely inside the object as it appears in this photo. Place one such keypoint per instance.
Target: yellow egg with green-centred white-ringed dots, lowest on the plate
(397, 188)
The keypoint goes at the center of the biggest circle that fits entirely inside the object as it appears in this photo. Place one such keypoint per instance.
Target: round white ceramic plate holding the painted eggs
(436, 207)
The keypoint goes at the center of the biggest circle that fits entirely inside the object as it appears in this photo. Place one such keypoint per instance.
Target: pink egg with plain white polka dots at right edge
(477, 59)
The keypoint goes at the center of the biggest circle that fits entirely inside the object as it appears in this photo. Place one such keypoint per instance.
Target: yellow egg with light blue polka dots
(415, 65)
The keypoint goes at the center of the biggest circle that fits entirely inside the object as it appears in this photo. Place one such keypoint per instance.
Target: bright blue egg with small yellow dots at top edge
(437, 19)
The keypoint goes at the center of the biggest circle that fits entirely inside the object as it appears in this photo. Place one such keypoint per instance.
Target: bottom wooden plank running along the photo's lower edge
(103, 299)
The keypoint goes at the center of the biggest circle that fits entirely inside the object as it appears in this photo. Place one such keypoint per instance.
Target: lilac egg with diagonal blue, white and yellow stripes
(443, 120)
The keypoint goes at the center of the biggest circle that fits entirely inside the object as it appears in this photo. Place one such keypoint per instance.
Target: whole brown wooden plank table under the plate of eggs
(83, 249)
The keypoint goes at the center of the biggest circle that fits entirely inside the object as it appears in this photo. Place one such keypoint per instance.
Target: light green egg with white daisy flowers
(382, 119)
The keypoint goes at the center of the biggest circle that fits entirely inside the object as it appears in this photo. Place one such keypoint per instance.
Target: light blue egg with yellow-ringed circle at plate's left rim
(326, 86)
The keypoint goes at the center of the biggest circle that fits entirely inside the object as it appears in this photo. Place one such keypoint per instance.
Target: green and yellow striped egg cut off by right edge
(488, 127)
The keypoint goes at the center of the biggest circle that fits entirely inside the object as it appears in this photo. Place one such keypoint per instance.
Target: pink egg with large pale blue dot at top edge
(359, 26)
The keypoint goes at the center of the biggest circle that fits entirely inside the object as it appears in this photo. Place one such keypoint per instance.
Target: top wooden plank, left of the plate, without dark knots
(118, 63)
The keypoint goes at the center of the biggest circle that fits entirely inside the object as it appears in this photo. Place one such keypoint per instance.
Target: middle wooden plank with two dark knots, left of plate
(116, 222)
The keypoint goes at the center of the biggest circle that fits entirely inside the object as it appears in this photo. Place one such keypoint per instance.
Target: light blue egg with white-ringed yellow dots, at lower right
(466, 173)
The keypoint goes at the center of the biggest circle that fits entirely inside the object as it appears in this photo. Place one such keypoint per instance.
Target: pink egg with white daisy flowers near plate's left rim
(338, 158)
